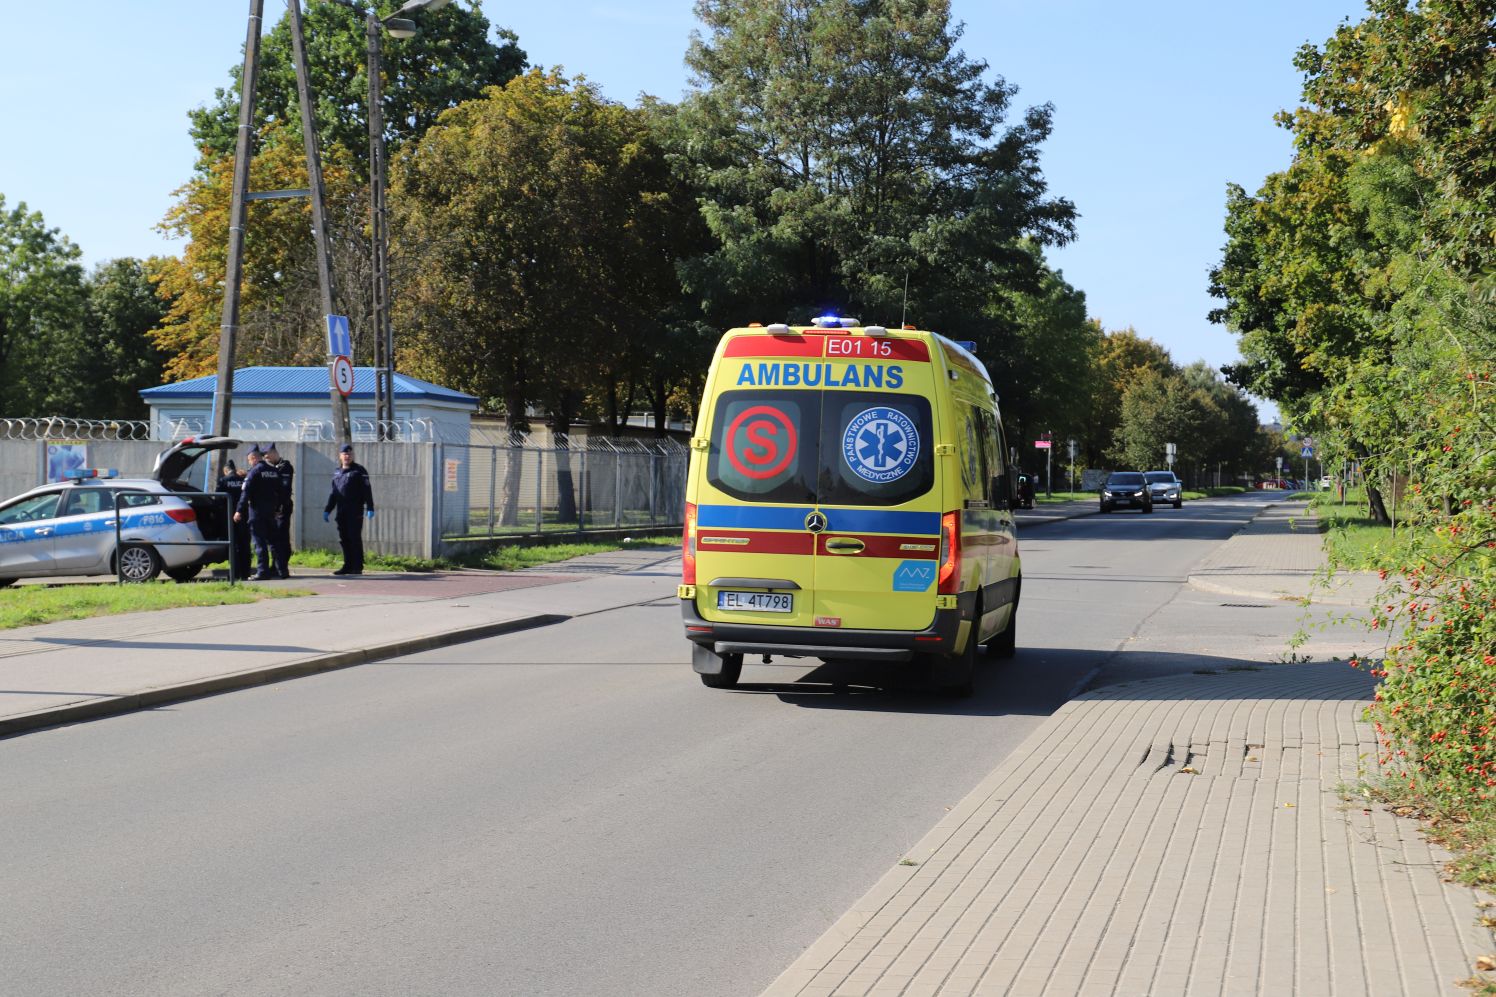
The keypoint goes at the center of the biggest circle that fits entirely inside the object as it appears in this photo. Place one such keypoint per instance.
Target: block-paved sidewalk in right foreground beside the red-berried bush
(1181, 836)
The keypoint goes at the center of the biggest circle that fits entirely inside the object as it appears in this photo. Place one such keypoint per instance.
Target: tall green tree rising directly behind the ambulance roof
(847, 150)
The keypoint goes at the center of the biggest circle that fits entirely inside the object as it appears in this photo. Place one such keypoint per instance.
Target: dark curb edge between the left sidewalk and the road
(114, 706)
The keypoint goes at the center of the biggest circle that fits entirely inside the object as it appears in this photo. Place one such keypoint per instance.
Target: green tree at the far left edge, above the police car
(41, 300)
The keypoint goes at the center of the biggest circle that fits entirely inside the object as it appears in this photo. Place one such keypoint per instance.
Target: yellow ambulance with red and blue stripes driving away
(849, 499)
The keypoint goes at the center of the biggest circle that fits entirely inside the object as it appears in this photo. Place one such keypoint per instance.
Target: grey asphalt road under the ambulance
(556, 812)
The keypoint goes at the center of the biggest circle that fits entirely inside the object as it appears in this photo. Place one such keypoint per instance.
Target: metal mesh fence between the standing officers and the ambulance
(578, 486)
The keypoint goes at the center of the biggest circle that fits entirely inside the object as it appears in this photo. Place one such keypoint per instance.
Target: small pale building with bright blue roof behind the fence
(292, 403)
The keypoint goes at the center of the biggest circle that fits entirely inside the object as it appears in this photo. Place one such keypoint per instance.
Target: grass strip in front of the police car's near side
(29, 606)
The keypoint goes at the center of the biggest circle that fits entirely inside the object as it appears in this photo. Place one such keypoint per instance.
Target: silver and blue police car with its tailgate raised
(70, 528)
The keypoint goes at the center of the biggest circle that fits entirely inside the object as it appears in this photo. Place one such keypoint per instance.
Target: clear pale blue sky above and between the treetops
(1157, 109)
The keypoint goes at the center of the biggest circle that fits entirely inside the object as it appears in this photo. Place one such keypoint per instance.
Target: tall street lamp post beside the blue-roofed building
(399, 26)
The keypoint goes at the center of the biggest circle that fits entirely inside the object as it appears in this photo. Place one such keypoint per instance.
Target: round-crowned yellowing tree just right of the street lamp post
(548, 225)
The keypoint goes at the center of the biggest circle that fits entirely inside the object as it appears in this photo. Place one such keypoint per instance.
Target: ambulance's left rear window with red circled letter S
(764, 445)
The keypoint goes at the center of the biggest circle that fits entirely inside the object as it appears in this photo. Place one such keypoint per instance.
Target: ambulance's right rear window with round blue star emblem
(877, 450)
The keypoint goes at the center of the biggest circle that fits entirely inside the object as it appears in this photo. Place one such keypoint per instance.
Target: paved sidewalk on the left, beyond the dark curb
(62, 673)
